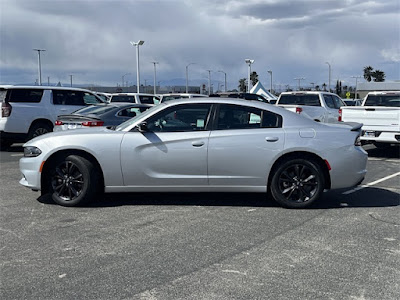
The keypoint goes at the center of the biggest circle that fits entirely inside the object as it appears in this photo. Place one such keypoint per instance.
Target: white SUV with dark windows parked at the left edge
(29, 111)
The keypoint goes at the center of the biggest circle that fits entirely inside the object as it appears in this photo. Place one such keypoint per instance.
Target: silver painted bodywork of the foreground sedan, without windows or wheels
(236, 160)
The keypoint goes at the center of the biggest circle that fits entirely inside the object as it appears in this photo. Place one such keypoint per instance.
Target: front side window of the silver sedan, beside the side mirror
(180, 118)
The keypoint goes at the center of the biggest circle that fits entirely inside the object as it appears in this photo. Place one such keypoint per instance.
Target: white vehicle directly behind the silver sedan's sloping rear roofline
(319, 106)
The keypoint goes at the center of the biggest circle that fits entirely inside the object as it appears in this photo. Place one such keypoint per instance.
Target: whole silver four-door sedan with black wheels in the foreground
(199, 145)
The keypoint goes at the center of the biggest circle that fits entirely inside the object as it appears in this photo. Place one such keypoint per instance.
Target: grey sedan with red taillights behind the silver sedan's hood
(111, 114)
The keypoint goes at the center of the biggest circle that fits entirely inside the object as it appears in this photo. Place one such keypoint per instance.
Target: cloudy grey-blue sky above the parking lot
(294, 38)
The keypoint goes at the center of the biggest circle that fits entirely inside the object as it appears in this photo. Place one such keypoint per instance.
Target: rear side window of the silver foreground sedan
(243, 117)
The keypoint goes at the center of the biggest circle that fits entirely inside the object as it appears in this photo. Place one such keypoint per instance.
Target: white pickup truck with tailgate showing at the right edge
(380, 115)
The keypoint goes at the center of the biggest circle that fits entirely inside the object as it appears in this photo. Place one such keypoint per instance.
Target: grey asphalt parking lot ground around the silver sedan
(203, 246)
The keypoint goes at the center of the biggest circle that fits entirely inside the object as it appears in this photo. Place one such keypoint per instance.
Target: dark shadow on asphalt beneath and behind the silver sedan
(368, 197)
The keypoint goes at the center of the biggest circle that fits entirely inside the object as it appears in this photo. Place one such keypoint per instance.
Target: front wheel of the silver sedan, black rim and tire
(73, 181)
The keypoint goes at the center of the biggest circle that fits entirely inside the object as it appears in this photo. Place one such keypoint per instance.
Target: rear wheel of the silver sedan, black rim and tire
(297, 183)
